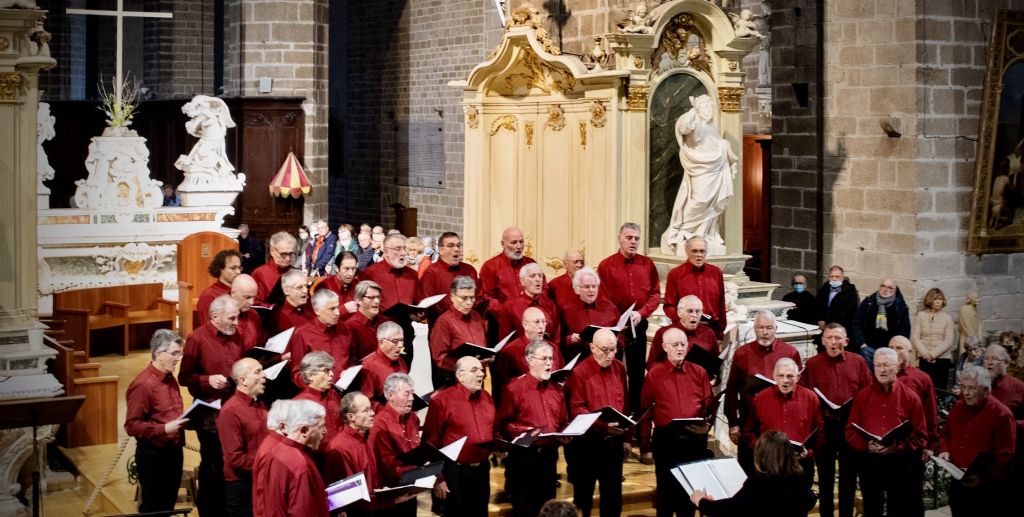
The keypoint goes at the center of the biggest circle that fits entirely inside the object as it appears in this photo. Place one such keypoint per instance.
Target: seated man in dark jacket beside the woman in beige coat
(880, 318)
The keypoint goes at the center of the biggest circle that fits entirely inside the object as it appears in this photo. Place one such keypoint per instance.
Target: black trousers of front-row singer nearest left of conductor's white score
(671, 450)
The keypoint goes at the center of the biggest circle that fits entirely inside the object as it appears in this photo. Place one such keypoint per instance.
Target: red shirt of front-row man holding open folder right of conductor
(879, 410)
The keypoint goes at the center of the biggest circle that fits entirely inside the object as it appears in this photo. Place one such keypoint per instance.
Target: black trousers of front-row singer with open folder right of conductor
(888, 482)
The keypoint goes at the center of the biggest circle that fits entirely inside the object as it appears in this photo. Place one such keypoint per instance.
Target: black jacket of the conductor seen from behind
(765, 497)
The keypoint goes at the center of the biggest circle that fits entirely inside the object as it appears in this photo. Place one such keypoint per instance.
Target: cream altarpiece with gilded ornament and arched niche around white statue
(564, 152)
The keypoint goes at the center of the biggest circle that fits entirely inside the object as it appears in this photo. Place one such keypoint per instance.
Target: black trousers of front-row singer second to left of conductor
(599, 460)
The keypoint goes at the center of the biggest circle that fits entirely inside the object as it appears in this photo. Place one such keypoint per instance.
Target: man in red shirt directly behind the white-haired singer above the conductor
(758, 357)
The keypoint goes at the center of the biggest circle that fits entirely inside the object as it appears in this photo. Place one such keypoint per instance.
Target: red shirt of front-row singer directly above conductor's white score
(677, 393)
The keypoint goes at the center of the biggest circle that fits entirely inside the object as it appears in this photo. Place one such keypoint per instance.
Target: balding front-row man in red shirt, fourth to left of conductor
(463, 410)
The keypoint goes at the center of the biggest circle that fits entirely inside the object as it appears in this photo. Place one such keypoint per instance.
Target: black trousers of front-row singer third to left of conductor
(531, 477)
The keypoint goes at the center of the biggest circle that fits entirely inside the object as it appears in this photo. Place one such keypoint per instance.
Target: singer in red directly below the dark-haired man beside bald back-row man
(460, 325)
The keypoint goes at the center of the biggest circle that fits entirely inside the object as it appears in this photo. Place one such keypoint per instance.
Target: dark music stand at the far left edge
(34, 413)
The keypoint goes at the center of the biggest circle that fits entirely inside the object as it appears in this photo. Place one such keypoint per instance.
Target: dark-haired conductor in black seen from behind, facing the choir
(778, 490)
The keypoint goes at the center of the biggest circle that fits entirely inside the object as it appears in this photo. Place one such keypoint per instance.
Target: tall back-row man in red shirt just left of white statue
(631, 279)
